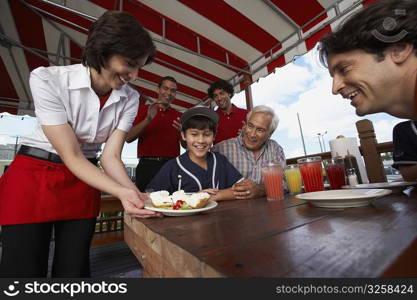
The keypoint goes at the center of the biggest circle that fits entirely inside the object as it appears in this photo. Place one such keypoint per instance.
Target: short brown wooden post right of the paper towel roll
(373, 162)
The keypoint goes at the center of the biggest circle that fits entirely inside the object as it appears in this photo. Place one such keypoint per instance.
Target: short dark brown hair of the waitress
(116, 32)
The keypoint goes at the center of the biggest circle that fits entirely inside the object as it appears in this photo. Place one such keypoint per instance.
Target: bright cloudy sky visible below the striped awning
(302, 87)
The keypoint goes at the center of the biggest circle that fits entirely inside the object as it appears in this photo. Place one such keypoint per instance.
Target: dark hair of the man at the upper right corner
(373, 29)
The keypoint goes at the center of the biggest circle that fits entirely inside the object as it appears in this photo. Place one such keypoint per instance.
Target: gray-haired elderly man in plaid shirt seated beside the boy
(251, 149)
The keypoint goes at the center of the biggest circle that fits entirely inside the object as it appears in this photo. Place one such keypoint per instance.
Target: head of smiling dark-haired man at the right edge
(372, 58)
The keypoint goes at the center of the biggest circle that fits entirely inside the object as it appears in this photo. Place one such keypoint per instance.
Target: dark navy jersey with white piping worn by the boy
(220, 174)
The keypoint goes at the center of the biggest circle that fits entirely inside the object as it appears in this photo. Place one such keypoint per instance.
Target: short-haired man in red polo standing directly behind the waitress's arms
(157, 129)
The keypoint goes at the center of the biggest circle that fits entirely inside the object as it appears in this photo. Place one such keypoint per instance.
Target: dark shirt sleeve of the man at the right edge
(405, 144)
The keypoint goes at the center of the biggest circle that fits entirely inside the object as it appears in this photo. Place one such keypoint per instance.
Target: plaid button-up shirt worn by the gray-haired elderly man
(244, 159)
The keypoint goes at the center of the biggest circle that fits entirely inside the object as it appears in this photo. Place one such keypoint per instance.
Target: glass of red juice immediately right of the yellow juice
(310, 168)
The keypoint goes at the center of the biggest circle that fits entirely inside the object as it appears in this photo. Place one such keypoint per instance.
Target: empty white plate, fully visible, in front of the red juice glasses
(343, 198)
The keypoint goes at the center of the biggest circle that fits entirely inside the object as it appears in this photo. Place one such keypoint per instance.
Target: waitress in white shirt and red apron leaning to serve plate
(53, 185)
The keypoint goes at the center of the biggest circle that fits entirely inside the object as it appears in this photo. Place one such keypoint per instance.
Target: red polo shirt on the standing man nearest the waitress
(159, 138)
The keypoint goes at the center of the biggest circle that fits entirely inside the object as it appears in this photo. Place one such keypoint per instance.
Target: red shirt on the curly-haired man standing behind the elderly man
(229, 124)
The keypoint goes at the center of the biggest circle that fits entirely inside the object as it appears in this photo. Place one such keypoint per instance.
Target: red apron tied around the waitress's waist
(35, 191)
